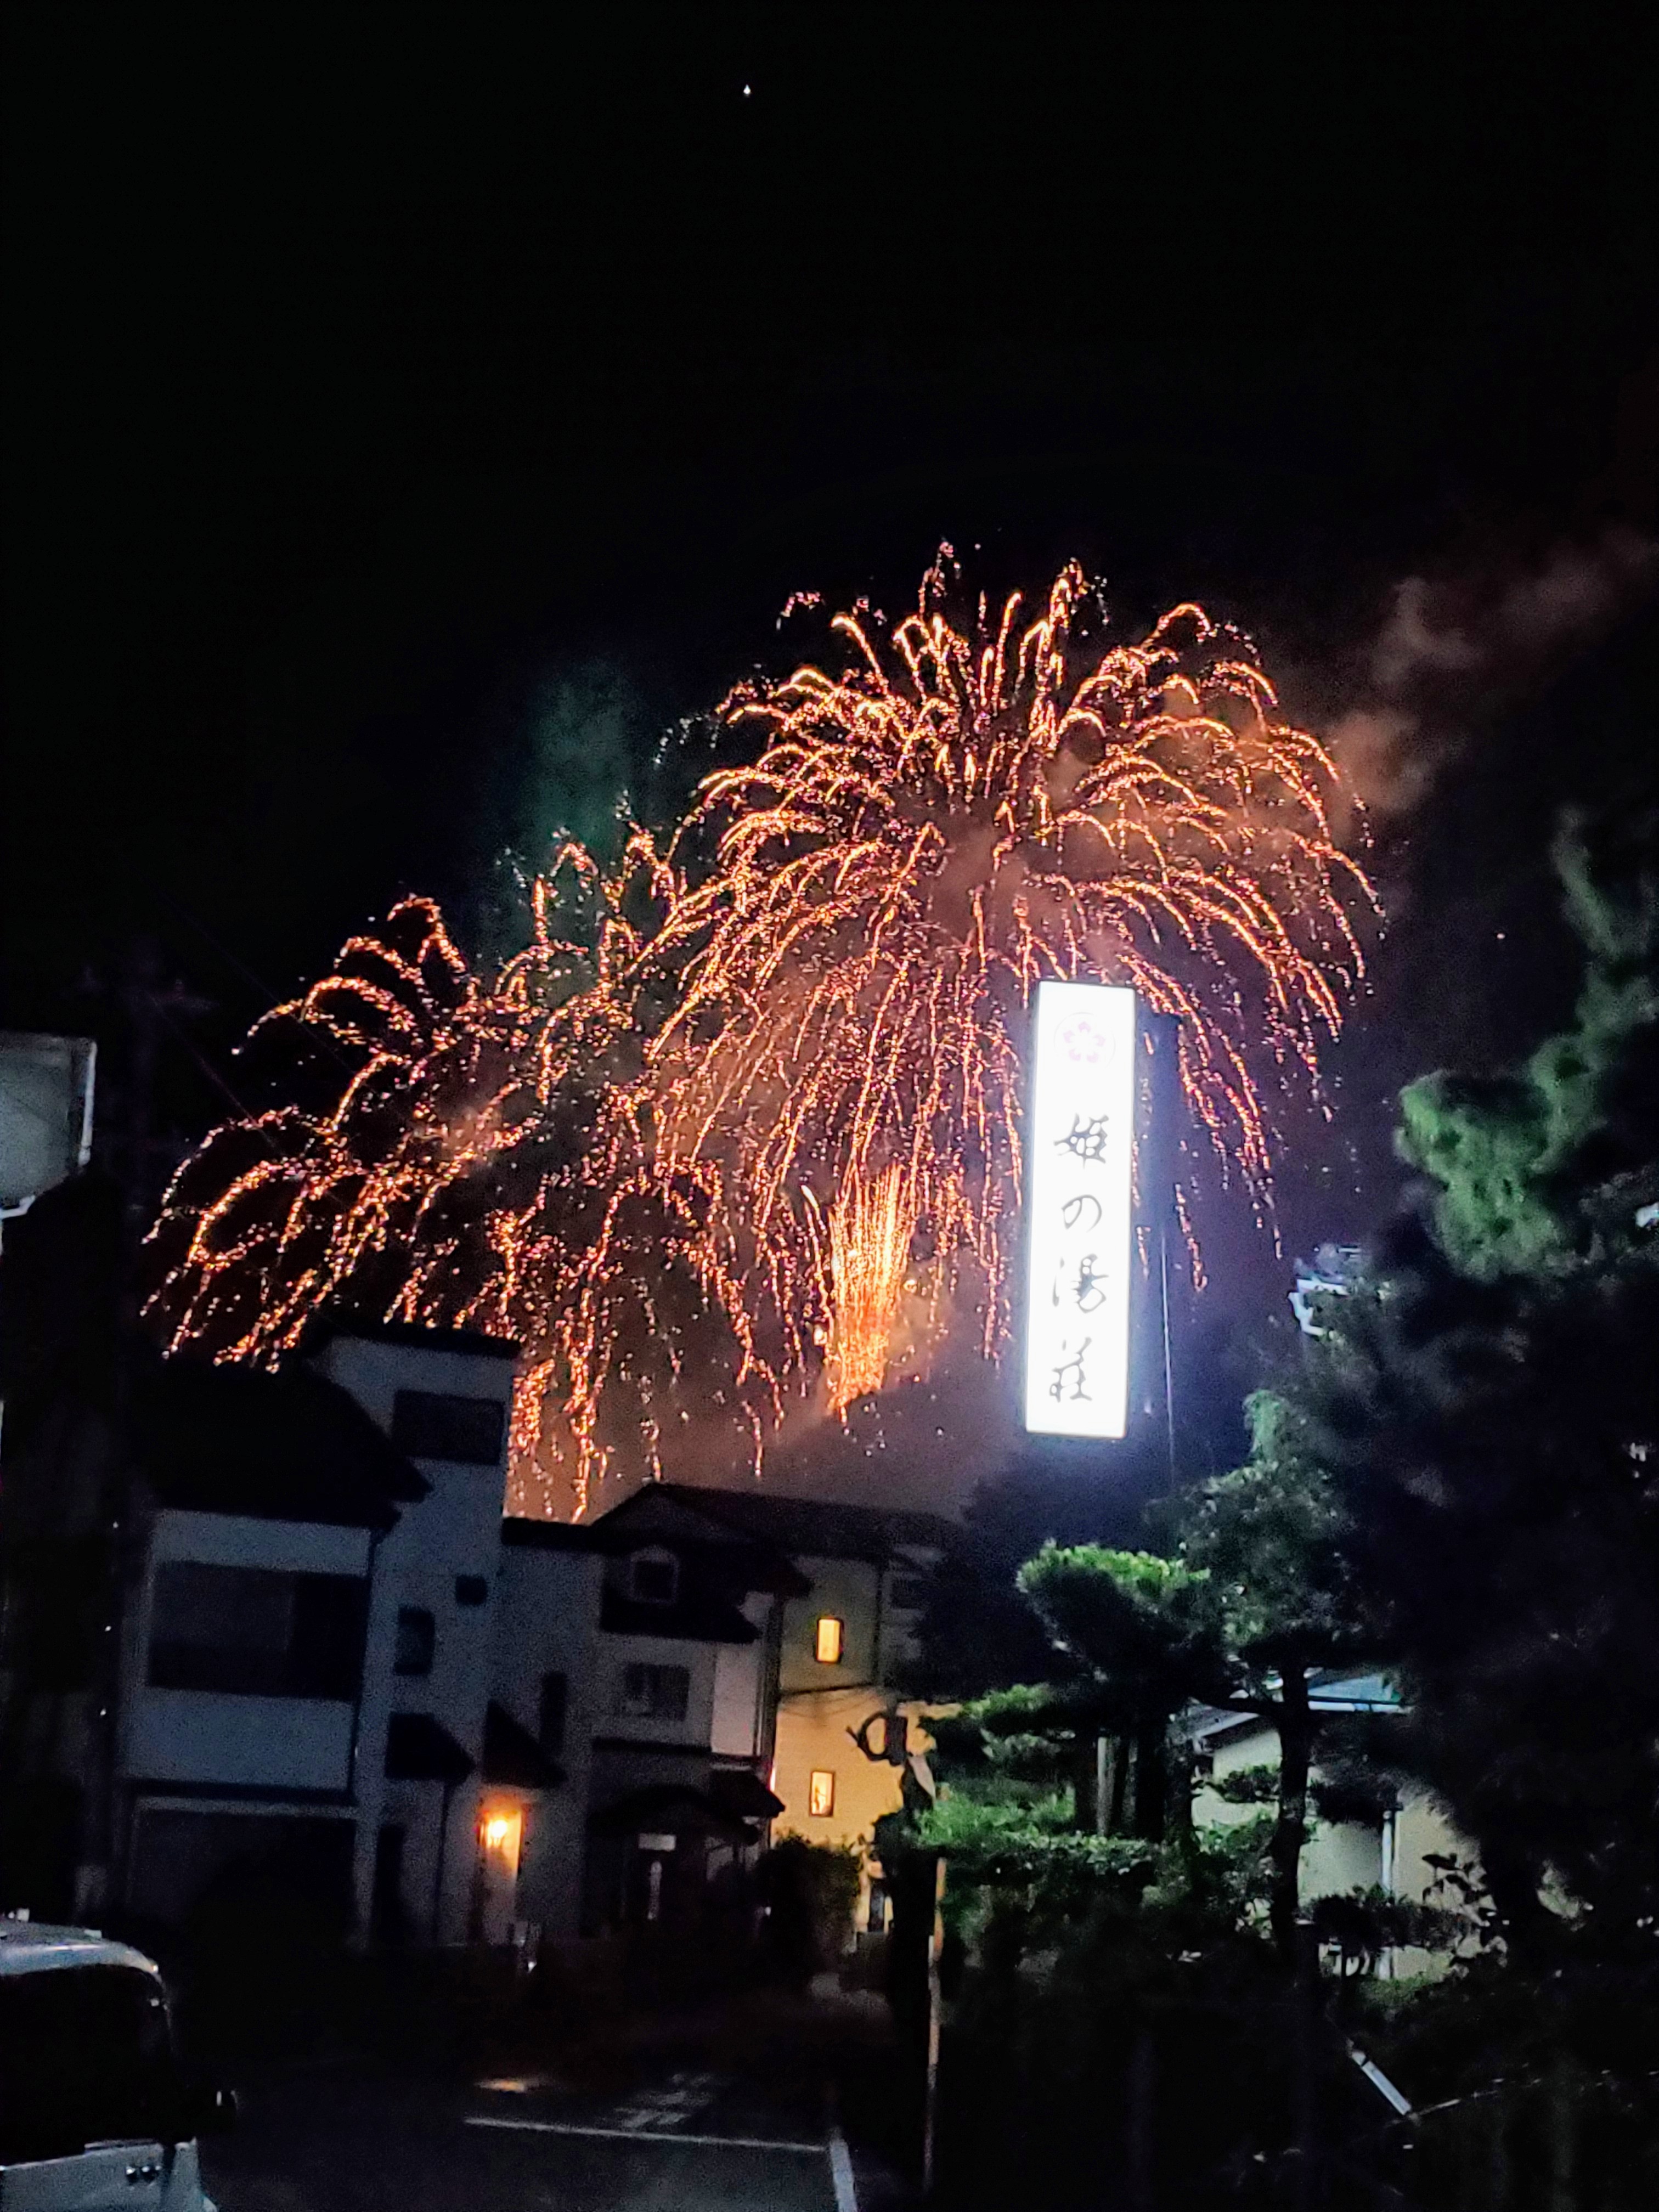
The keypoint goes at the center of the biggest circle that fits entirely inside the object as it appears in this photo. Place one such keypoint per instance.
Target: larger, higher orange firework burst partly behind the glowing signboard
(928, 835)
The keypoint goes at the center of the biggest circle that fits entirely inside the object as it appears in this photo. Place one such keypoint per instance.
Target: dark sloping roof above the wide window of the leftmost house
(284, 1446)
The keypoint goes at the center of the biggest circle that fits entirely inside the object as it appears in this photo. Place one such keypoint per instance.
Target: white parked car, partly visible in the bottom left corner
(96, 2111)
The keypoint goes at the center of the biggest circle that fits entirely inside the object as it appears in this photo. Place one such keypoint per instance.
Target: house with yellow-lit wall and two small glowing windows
(738, 1647)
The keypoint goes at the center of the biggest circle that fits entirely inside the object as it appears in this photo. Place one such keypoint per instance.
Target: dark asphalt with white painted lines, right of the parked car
(674, 2138)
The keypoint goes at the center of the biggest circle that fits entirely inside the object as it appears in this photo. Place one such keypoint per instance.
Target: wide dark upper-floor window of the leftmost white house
(255, 1631)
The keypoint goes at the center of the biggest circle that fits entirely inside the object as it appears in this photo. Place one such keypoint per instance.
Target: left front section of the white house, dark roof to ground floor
(264, 1507)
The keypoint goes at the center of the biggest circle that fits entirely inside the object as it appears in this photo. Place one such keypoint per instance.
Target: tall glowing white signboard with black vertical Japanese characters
(1081, 1145)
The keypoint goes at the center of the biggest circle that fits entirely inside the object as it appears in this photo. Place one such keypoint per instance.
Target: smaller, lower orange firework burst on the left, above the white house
(481, 1160)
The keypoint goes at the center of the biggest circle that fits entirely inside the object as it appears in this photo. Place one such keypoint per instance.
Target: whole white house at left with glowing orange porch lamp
(309, 1585)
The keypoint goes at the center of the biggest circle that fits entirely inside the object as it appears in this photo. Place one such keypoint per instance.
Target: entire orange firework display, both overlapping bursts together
(733, 1100)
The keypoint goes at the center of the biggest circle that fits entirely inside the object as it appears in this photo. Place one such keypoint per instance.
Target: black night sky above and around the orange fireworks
(377, 379)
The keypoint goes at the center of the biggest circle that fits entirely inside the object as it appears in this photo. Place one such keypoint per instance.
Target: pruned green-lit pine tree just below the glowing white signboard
(1251, 1603)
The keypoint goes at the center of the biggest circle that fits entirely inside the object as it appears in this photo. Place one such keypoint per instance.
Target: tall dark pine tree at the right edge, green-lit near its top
(1492, 1421)
